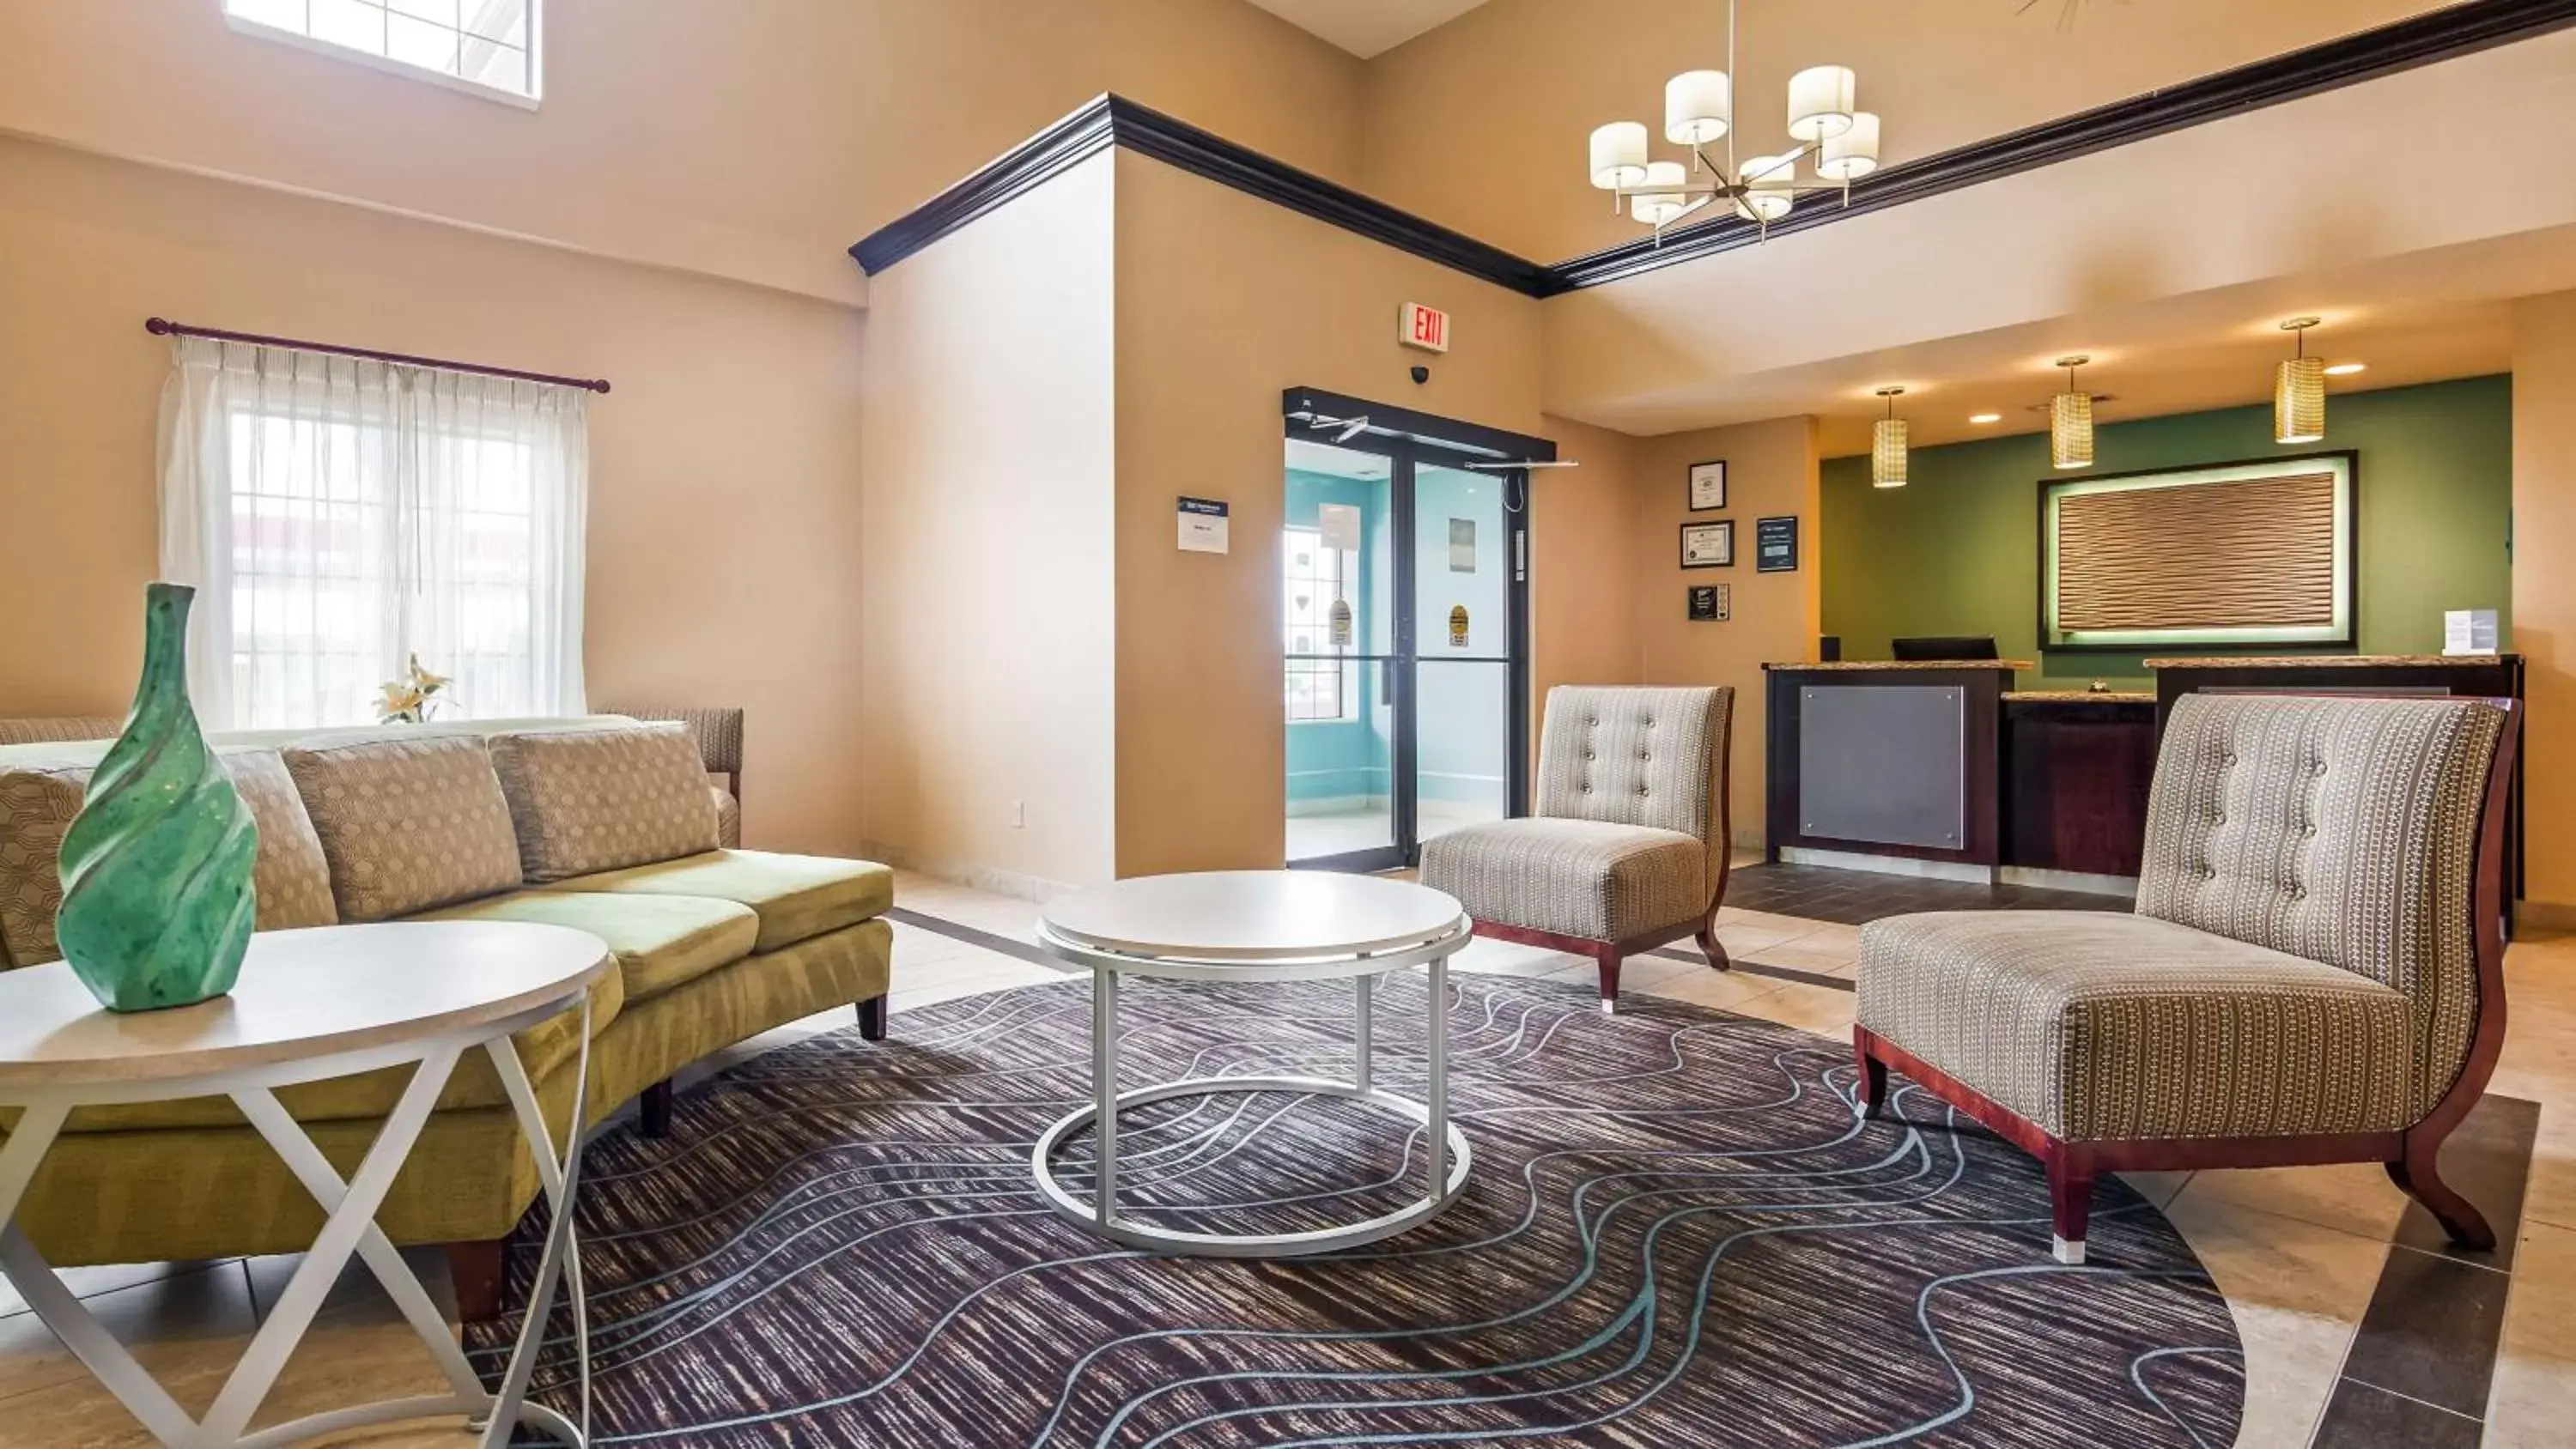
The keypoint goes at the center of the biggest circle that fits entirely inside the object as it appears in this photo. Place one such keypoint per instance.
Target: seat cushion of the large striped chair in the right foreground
(2116, 1028)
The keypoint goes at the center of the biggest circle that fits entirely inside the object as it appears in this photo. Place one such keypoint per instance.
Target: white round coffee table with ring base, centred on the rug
(1256, 925)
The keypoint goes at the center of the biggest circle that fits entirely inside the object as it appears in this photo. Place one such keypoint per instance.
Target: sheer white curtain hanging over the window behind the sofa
(341, 516)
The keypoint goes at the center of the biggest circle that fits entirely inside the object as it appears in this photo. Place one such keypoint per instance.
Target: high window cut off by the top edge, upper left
(475, 45)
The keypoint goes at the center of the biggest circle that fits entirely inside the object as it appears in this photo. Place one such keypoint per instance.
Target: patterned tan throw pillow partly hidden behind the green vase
(37, 804)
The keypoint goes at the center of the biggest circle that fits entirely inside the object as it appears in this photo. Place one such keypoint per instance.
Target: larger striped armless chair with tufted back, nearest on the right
(2315, 969)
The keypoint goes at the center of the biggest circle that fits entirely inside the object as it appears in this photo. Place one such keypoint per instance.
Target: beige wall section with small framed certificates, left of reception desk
(1771, 470)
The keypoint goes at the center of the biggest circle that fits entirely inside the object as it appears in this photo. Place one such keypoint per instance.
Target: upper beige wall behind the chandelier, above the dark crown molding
(1482, 122)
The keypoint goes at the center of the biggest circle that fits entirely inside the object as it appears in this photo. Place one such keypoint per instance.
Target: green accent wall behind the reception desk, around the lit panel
(1959, 549)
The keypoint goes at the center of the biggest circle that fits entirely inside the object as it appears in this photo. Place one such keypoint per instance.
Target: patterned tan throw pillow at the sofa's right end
(604, 799)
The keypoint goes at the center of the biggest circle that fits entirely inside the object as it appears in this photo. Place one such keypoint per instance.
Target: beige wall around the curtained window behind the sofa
(723, 467)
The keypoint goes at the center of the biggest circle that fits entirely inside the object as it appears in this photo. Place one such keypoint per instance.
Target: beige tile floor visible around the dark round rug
(2299, 1252)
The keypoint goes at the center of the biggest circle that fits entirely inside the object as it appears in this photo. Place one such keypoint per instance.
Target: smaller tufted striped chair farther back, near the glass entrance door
(1629, 843)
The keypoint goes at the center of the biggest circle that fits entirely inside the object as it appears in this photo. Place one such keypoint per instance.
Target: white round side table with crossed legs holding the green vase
(313, 1005)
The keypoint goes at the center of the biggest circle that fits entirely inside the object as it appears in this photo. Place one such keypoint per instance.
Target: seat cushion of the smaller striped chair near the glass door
(1575, 879)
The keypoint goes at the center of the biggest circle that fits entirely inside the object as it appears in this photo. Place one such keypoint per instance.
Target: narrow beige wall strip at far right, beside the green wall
(2546, 591)
